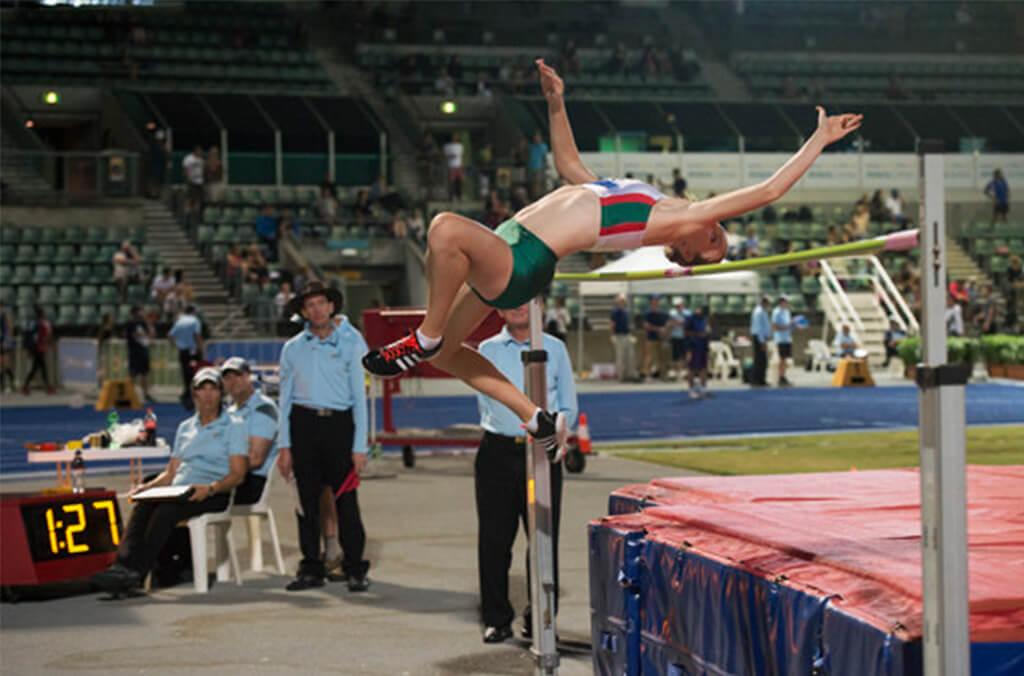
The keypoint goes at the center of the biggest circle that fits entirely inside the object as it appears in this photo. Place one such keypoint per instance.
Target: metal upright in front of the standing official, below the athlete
(542, 578)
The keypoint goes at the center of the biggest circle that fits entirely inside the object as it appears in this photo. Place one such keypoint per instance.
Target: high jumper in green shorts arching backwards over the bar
(472, 270)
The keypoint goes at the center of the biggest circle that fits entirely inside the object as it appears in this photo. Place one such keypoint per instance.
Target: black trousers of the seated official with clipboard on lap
(152, 524)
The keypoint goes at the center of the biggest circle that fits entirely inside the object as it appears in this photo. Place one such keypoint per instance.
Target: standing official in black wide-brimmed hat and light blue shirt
(322, 436)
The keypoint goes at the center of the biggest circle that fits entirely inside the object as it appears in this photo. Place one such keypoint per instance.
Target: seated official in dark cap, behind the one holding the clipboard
(261, 416)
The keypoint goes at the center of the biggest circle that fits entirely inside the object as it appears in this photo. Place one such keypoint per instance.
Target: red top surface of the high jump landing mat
(854, 535)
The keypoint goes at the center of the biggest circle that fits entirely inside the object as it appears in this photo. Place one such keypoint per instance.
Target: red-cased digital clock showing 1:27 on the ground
(50, 538)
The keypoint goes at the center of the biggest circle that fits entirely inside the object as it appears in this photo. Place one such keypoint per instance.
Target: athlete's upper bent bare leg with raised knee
(461, 251)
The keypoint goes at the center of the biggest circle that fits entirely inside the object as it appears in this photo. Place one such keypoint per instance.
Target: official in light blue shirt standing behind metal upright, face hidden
(500, 471)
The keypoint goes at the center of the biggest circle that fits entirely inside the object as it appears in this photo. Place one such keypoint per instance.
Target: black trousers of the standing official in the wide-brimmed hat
(322, 455)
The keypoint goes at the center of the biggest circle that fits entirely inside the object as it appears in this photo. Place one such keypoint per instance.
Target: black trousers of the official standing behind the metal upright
(501, 503)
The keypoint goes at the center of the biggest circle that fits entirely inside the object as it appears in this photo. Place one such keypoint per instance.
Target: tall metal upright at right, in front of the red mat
(943, 435)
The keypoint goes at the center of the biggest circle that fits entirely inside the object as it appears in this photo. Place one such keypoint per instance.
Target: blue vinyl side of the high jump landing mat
(705, 617)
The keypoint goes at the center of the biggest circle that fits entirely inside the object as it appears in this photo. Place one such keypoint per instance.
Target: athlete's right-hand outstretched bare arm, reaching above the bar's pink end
(729, 205)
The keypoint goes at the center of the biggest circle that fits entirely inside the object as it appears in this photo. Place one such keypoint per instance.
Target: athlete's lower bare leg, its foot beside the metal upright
(472, 367)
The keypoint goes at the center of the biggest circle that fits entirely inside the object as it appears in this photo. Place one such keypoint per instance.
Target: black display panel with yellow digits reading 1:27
(60, 530)
